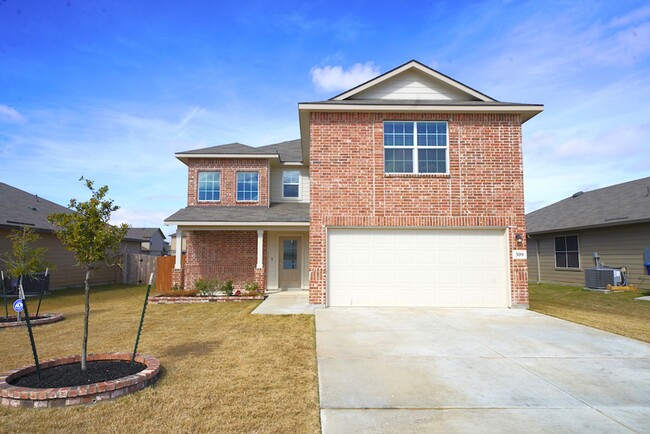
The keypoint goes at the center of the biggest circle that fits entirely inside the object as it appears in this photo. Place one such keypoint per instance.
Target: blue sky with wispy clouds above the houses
(111, 89)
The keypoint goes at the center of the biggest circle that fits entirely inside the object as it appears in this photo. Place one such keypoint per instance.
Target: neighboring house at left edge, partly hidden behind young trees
(19, 208)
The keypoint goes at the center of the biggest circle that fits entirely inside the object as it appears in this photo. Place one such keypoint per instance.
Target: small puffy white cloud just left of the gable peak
(335, 78)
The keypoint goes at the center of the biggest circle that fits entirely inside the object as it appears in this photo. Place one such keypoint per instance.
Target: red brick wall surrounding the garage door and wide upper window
(484, 187)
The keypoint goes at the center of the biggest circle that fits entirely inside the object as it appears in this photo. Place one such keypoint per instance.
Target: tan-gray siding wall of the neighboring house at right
(617, 246)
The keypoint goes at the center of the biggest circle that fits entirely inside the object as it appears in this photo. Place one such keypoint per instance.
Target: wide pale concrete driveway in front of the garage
(476, 370)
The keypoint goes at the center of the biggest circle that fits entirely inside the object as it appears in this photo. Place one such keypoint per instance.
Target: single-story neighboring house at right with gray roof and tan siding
(612, 221)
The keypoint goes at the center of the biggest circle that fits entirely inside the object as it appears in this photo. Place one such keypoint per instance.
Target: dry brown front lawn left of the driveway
(224, 370)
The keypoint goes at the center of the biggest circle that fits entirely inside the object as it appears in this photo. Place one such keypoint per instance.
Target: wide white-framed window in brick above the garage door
(415, 147)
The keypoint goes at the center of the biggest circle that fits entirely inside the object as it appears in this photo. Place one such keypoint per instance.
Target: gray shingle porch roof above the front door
(277, 212)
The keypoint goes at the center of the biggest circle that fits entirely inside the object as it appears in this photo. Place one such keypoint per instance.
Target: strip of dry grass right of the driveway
(616, 312)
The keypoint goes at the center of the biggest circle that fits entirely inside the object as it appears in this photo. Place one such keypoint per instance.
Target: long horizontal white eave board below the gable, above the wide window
(527, 111)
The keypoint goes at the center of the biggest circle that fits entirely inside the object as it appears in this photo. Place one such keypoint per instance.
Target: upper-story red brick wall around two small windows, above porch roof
(228, 168)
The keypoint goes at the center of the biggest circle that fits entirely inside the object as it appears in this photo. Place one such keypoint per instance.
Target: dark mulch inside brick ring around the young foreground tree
(72, 375)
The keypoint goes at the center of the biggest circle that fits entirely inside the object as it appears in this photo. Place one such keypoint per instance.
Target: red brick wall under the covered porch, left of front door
(224, 255)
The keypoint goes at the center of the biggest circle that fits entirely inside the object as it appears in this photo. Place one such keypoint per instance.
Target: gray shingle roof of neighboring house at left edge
(18, 208)
